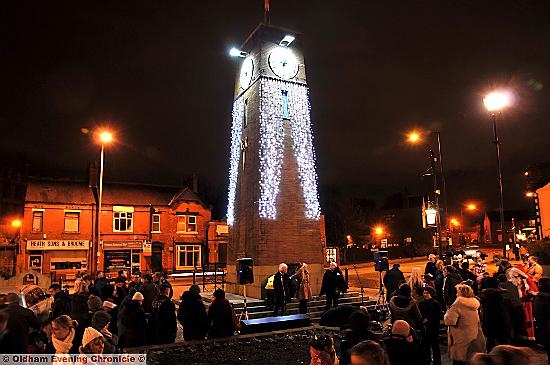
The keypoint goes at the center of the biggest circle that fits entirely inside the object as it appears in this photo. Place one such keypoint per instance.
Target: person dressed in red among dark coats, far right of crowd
(527, 289)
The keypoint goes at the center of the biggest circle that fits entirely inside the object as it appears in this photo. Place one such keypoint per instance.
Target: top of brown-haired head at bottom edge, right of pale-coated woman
(505, 355)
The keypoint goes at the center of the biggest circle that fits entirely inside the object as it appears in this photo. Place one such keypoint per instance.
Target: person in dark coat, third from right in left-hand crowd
(163, 317)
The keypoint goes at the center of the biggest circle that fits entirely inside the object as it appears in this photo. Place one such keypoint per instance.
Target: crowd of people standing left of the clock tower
(106, 316)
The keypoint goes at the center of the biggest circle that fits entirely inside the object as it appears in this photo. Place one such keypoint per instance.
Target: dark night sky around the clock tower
(158, 73)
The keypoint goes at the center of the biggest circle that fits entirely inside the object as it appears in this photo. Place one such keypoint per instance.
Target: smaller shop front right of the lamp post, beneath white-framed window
(122, 255)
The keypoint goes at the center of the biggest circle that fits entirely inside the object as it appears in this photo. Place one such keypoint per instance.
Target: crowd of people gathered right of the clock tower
(487, 317)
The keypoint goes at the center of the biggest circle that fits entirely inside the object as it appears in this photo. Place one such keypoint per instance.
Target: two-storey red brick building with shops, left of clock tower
(144, 228)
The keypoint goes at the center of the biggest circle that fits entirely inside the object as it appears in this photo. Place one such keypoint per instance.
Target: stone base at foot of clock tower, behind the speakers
(262, 273)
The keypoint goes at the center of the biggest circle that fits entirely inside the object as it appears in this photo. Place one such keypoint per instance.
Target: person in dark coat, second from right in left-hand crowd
(192, 315)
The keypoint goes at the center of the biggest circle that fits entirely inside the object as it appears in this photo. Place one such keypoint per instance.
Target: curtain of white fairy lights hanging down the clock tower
(271, 146)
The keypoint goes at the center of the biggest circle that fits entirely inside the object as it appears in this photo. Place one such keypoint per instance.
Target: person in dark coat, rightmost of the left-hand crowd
(221, 316)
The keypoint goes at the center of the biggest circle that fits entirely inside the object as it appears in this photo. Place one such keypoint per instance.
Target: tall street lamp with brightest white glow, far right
(495, 102)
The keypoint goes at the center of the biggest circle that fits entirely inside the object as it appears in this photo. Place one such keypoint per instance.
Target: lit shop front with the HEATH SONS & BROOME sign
(62, 259)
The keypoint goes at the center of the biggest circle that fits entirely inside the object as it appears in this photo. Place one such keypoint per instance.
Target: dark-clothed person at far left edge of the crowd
(20, 319)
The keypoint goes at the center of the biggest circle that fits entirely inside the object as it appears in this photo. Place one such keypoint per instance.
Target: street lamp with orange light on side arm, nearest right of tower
(416, 137)
